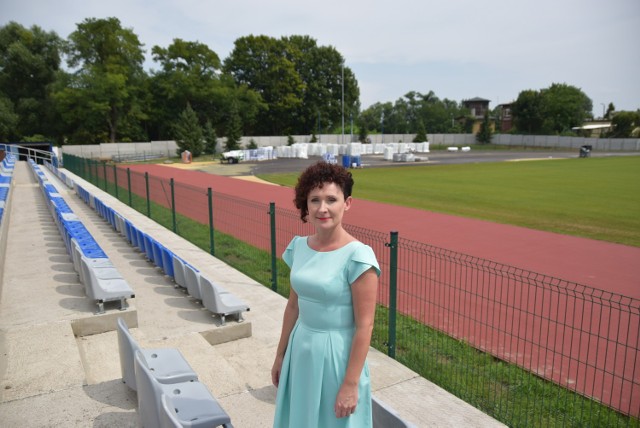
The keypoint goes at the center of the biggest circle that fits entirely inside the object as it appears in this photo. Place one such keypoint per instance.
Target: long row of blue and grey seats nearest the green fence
(186, 276)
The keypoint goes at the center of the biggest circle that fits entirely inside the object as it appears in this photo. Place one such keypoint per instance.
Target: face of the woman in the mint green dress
(326, 206)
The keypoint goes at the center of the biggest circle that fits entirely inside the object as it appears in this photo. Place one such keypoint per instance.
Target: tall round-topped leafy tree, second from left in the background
(108, 80)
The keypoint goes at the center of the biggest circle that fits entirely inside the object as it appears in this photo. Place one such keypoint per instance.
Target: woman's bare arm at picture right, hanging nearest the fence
(363, 292)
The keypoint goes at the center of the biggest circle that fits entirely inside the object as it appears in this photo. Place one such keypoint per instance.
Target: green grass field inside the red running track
(597, 198)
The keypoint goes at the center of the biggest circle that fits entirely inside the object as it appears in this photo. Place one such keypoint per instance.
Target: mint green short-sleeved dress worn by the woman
(320, 343)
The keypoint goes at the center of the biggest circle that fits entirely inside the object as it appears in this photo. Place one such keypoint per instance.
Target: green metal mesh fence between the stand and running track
(528, 349)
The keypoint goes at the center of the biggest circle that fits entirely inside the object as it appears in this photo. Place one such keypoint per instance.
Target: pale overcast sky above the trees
(458, 49)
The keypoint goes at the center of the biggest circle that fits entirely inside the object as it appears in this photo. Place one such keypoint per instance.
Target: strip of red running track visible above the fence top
(598, 264)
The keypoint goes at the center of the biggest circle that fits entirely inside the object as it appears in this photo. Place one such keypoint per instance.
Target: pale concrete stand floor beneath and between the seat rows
(59, 363)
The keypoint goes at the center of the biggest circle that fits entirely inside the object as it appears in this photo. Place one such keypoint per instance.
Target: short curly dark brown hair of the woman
(315, 176)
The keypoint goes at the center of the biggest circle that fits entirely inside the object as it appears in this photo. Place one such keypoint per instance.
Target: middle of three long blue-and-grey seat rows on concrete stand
(102, 281)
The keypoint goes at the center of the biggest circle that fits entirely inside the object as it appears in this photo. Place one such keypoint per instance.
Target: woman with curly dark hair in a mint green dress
(320, 366)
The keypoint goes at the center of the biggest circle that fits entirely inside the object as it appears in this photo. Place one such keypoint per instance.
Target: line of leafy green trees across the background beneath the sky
(266, 86)
